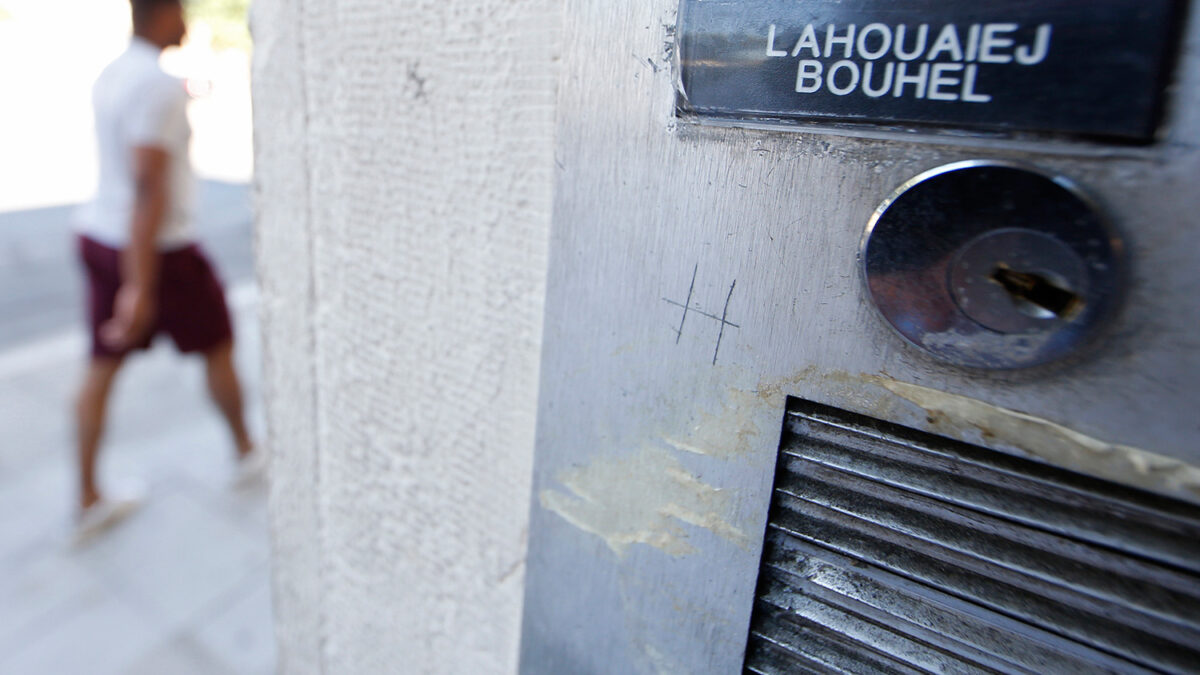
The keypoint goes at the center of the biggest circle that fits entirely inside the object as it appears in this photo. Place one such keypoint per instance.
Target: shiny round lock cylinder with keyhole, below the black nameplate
(993, 265)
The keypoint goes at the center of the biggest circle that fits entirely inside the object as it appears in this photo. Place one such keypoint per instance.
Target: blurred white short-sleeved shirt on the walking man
(139, 105)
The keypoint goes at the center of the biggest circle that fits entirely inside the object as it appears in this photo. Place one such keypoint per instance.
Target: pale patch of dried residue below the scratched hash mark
(641, 499)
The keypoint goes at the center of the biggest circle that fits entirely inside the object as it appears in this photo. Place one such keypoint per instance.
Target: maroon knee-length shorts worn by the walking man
(191, 302)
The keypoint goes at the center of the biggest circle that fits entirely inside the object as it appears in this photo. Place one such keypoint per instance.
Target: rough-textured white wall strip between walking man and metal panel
(405, 157)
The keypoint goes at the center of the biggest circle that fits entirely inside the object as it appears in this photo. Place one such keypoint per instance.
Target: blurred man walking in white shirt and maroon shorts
(146, 274)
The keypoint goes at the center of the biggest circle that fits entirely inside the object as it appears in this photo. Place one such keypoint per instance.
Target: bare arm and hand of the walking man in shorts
(134, 312)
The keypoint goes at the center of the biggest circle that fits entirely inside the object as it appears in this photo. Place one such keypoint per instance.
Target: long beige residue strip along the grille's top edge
(1057, 444)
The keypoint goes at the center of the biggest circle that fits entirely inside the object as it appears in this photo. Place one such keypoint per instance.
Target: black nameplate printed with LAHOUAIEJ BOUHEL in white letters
(1094, 68)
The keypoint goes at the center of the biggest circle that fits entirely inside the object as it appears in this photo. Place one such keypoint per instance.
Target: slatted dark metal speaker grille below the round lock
(893, 551)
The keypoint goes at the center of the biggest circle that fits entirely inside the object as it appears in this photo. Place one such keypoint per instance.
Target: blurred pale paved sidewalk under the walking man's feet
(182, 588)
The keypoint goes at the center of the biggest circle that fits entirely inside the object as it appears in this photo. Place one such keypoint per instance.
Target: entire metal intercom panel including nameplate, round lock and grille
(1015, 278)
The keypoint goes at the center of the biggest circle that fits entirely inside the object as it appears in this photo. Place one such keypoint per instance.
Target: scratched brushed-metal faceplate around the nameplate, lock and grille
(653, 467)
